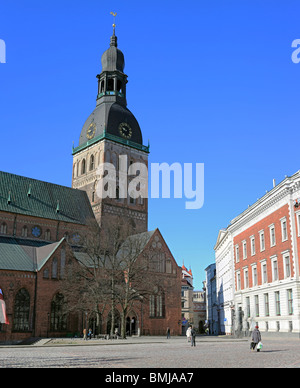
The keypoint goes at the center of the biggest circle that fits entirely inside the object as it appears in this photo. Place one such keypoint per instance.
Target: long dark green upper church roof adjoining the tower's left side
(36, 198)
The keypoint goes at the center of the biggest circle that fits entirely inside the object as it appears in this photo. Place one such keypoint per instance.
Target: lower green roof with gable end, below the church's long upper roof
(25, 255)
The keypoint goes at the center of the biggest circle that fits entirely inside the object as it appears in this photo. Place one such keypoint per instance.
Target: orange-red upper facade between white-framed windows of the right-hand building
(269, 251)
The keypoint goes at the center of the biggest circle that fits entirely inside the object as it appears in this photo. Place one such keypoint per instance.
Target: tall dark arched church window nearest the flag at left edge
(21, 311)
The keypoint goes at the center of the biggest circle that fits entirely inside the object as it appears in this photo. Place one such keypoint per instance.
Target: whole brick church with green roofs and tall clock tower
(41, 225)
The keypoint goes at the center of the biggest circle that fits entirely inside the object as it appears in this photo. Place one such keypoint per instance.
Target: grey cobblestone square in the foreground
(153, 352)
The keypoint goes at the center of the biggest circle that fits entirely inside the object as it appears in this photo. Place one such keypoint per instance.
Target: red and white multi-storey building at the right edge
(265, 244)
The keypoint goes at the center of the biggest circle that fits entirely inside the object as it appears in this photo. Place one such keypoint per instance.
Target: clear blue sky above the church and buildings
(209, 82)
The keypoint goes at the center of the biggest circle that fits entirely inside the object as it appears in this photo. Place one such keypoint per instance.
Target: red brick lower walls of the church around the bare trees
(12, 281)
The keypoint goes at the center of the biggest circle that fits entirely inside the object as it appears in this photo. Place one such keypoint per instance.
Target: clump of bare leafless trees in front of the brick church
(111, 272)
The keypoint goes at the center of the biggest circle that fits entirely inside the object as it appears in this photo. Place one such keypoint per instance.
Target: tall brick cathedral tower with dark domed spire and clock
(111, 131)
